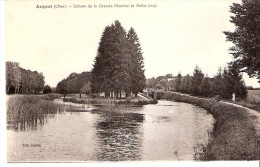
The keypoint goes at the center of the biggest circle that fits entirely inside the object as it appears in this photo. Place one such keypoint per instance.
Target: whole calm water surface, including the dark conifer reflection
(165, 131)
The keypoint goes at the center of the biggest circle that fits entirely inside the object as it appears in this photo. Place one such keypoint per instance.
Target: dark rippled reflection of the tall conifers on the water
(119, 134)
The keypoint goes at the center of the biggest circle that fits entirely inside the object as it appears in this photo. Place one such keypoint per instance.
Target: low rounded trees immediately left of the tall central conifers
(75, 83)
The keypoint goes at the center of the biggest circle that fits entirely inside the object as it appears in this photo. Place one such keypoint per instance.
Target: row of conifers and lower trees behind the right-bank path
(226, 82)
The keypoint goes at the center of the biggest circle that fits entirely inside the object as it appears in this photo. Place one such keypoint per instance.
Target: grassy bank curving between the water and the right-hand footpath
(234, 135)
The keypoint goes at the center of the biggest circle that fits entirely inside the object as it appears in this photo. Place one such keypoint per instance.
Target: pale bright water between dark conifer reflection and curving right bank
(173, 131)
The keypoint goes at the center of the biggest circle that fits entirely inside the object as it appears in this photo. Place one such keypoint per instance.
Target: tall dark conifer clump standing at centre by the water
(119, 64)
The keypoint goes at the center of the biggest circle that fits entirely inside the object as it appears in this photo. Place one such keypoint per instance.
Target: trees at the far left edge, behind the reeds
(19, 80)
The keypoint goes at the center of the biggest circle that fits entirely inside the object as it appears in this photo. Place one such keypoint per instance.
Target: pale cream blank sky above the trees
(175, 36)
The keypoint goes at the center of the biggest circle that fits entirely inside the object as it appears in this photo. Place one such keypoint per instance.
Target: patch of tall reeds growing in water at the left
(29, 110)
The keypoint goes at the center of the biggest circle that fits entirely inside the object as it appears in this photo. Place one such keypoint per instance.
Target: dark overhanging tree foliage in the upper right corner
(246, 36)
